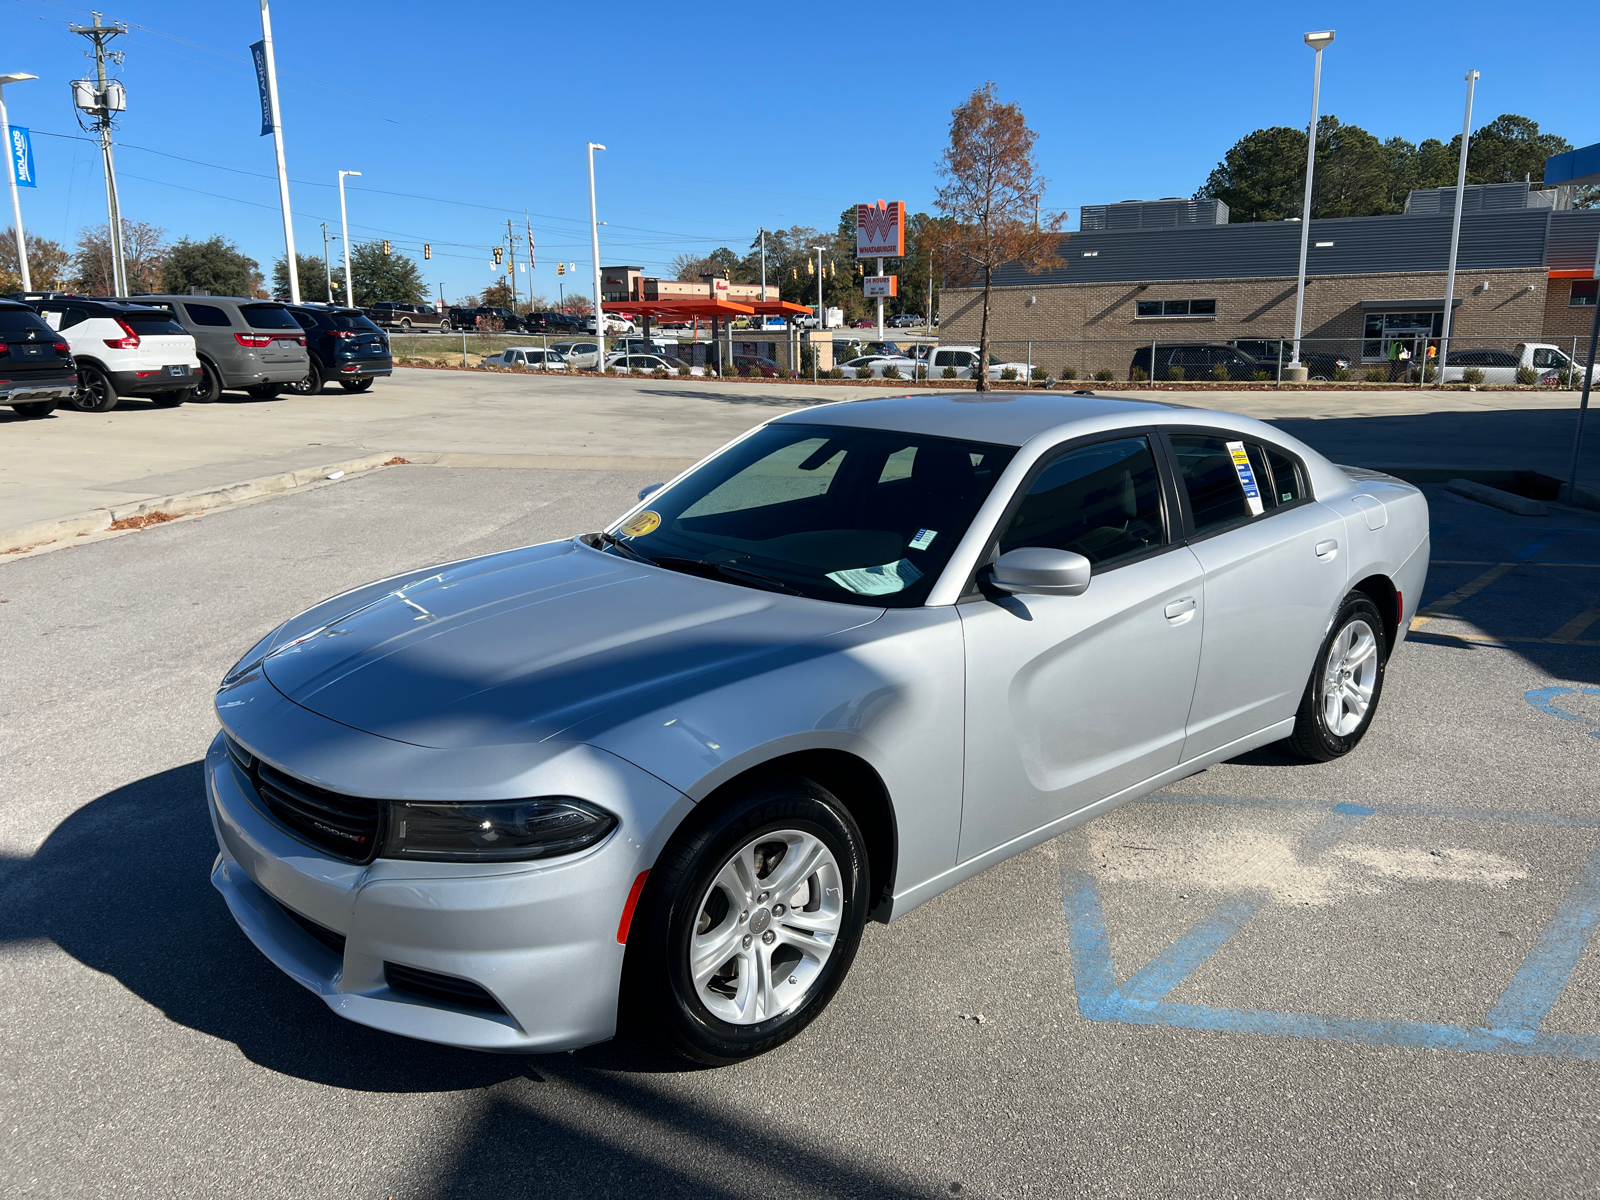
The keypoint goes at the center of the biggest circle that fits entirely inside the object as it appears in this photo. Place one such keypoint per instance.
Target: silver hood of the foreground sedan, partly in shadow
(518, 647)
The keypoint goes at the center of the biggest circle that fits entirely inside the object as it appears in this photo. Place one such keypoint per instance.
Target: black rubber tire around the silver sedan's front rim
(660, 946)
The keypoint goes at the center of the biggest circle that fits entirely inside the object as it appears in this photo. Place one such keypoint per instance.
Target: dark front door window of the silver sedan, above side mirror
(1103, 502)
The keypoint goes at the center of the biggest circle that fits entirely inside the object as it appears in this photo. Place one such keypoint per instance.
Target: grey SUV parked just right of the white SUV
(242, 343)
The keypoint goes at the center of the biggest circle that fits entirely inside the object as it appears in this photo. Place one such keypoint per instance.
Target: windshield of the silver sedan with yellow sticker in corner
(855, 516)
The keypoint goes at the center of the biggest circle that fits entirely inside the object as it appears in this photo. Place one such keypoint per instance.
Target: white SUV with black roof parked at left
(124, 350)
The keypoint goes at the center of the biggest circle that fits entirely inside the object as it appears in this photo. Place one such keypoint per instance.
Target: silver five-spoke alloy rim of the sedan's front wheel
(767, 927)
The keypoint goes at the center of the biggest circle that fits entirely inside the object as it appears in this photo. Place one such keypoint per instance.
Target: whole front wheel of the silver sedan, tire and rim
(748, 924)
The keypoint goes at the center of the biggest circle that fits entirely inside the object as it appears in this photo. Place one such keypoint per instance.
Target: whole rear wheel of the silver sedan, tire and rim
(1345, 687)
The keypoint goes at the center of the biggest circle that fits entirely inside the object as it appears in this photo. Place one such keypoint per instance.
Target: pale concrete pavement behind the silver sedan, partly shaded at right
(76, 463)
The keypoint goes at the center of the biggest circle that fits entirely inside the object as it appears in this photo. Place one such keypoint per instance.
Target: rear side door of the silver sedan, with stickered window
(1274, 574)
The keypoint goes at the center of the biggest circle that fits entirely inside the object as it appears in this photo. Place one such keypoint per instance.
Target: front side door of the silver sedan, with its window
(1074, 698)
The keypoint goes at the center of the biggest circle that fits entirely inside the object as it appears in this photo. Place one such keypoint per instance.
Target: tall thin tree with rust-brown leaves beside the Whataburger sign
(991, 196)
